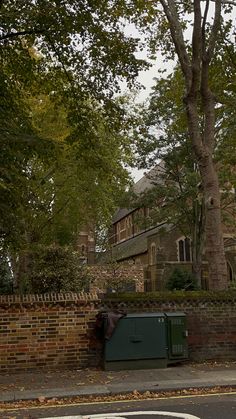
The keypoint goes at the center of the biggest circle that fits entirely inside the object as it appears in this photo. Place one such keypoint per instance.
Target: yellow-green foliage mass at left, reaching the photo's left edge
(57, 178)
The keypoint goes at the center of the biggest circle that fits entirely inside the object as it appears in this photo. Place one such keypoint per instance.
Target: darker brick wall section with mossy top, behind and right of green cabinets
(211, 322)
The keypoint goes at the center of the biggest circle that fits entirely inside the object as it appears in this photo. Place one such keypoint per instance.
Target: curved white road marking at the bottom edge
(123, 415)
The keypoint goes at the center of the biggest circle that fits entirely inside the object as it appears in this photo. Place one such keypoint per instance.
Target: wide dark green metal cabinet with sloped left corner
(139, 341)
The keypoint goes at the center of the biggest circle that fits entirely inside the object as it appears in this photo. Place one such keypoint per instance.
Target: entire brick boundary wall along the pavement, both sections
(57, 330)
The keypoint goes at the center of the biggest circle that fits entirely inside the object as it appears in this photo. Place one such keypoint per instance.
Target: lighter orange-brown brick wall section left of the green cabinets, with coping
(47, 330)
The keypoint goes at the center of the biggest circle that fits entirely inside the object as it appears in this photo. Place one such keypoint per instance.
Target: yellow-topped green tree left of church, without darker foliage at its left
(79, 183)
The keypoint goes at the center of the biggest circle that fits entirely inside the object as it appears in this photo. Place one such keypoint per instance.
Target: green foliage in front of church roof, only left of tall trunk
(162, 135)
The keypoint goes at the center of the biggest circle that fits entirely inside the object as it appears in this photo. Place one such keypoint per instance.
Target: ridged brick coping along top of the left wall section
(48, 298)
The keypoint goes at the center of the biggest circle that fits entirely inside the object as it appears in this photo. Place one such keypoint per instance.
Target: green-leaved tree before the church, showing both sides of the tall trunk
(162, 134)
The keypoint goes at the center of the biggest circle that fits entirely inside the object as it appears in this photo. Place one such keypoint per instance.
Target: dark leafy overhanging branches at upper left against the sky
(85, 40)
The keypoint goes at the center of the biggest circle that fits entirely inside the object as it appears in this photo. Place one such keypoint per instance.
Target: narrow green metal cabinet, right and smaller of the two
(176, 336)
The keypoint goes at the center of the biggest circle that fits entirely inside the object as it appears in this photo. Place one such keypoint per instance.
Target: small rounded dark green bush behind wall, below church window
(181, 280)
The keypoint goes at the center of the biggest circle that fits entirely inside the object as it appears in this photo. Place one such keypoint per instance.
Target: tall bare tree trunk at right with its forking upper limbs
(200, 109)
